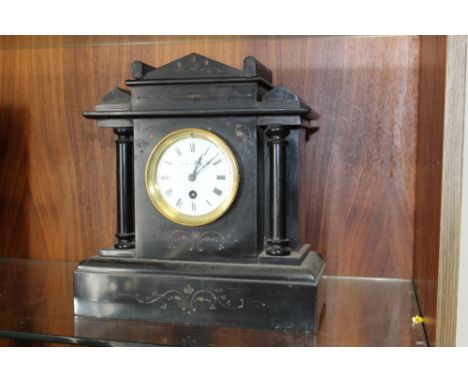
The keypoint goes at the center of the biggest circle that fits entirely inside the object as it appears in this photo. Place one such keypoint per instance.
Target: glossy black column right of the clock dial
(277, 244)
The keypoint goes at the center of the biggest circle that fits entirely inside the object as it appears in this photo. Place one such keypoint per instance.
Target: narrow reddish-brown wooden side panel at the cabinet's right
(429, 177)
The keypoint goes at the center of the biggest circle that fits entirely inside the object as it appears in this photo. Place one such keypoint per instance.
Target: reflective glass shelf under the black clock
(36, 305)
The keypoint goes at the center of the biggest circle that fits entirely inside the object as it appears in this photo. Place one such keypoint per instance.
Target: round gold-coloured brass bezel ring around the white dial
(154, 193)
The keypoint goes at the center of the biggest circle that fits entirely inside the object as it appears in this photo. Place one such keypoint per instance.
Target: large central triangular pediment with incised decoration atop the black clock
(193, 66)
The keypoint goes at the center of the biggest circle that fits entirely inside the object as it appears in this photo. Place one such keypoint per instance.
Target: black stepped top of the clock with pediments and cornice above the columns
(196, 86)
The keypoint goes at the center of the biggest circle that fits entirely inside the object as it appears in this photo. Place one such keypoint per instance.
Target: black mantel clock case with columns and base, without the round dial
(248, 268)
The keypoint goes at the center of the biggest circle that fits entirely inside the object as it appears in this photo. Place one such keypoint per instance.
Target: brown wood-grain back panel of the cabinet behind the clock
(57, 169)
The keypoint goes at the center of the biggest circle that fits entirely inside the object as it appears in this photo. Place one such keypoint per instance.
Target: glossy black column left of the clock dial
(125, 197)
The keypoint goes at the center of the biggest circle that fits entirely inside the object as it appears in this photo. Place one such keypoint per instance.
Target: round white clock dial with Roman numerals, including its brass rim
(192, 177)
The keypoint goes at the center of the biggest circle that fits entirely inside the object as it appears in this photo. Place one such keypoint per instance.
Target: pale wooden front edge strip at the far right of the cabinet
(452, 165)
